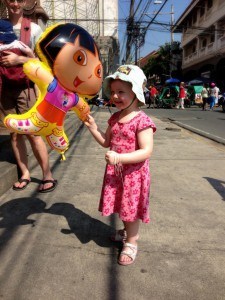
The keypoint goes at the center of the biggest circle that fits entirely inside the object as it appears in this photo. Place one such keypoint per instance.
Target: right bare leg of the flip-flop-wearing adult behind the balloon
(40, 151)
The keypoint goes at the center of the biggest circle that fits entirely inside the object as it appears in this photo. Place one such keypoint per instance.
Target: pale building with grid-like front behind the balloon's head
(98, 17)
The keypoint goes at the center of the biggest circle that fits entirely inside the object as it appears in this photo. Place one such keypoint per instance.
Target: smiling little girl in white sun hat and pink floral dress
(130, 137)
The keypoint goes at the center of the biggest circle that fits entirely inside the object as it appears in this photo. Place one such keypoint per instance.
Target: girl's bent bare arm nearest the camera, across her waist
(145, 142)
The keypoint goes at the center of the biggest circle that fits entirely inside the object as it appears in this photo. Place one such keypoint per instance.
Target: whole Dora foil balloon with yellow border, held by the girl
(68, 73)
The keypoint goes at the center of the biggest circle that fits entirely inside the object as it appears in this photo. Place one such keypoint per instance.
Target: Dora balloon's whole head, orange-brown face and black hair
(74, 58)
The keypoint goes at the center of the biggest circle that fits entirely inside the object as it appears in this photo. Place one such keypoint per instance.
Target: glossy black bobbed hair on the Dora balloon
(51, 44)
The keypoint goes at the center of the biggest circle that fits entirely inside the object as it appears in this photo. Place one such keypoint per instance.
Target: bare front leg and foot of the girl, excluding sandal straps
(132, 229)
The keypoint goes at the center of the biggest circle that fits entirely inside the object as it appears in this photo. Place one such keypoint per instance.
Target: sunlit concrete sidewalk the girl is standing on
(55, 246)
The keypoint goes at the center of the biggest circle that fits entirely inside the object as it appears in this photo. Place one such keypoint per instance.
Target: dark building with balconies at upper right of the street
(202, 25)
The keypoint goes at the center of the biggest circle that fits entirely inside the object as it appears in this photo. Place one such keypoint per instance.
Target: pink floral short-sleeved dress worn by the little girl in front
(126, 190)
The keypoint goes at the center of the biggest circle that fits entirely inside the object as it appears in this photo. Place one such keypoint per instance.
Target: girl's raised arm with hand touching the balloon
(101, 137)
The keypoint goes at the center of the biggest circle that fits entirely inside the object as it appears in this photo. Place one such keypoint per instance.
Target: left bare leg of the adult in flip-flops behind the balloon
(20, 153)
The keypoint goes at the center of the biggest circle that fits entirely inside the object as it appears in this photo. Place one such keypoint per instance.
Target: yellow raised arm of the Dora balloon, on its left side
(38, 72)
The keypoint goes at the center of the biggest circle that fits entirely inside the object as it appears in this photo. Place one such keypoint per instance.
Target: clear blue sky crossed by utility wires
(156, 35)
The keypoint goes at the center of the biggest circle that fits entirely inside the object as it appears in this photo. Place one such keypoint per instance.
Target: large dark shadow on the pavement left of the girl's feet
(17, 212)
